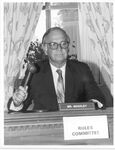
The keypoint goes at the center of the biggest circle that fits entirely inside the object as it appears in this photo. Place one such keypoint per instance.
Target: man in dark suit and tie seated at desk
(49, 87)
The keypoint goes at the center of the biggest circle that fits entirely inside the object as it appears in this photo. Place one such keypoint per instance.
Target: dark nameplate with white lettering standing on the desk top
(77, 106)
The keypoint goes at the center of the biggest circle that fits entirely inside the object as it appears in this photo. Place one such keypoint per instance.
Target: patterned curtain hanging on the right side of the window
(96, 36)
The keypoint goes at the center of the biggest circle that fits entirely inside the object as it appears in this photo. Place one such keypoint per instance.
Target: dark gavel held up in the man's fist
(31, 69)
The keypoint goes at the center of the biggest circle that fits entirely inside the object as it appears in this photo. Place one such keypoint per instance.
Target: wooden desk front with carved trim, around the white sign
(46, 128)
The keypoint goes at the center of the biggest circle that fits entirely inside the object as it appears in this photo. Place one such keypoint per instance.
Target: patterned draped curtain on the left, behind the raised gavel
(20, 20)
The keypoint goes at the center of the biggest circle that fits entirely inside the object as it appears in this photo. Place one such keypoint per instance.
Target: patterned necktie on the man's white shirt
(60, 87)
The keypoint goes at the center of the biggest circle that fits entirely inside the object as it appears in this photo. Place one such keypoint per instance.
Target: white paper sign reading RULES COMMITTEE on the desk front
(85, 127)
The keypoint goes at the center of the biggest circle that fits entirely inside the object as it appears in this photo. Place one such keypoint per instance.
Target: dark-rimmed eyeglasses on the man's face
(54, 45)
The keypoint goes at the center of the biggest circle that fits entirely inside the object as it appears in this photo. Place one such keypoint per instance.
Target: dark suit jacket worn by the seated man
(80, 86)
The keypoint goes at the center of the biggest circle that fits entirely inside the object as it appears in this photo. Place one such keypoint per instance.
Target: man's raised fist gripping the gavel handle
(20, 95)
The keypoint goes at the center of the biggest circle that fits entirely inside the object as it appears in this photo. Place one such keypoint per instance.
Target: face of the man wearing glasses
(57, 47)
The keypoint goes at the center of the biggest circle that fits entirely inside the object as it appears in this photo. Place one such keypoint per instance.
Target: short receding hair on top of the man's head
(54, 29)
